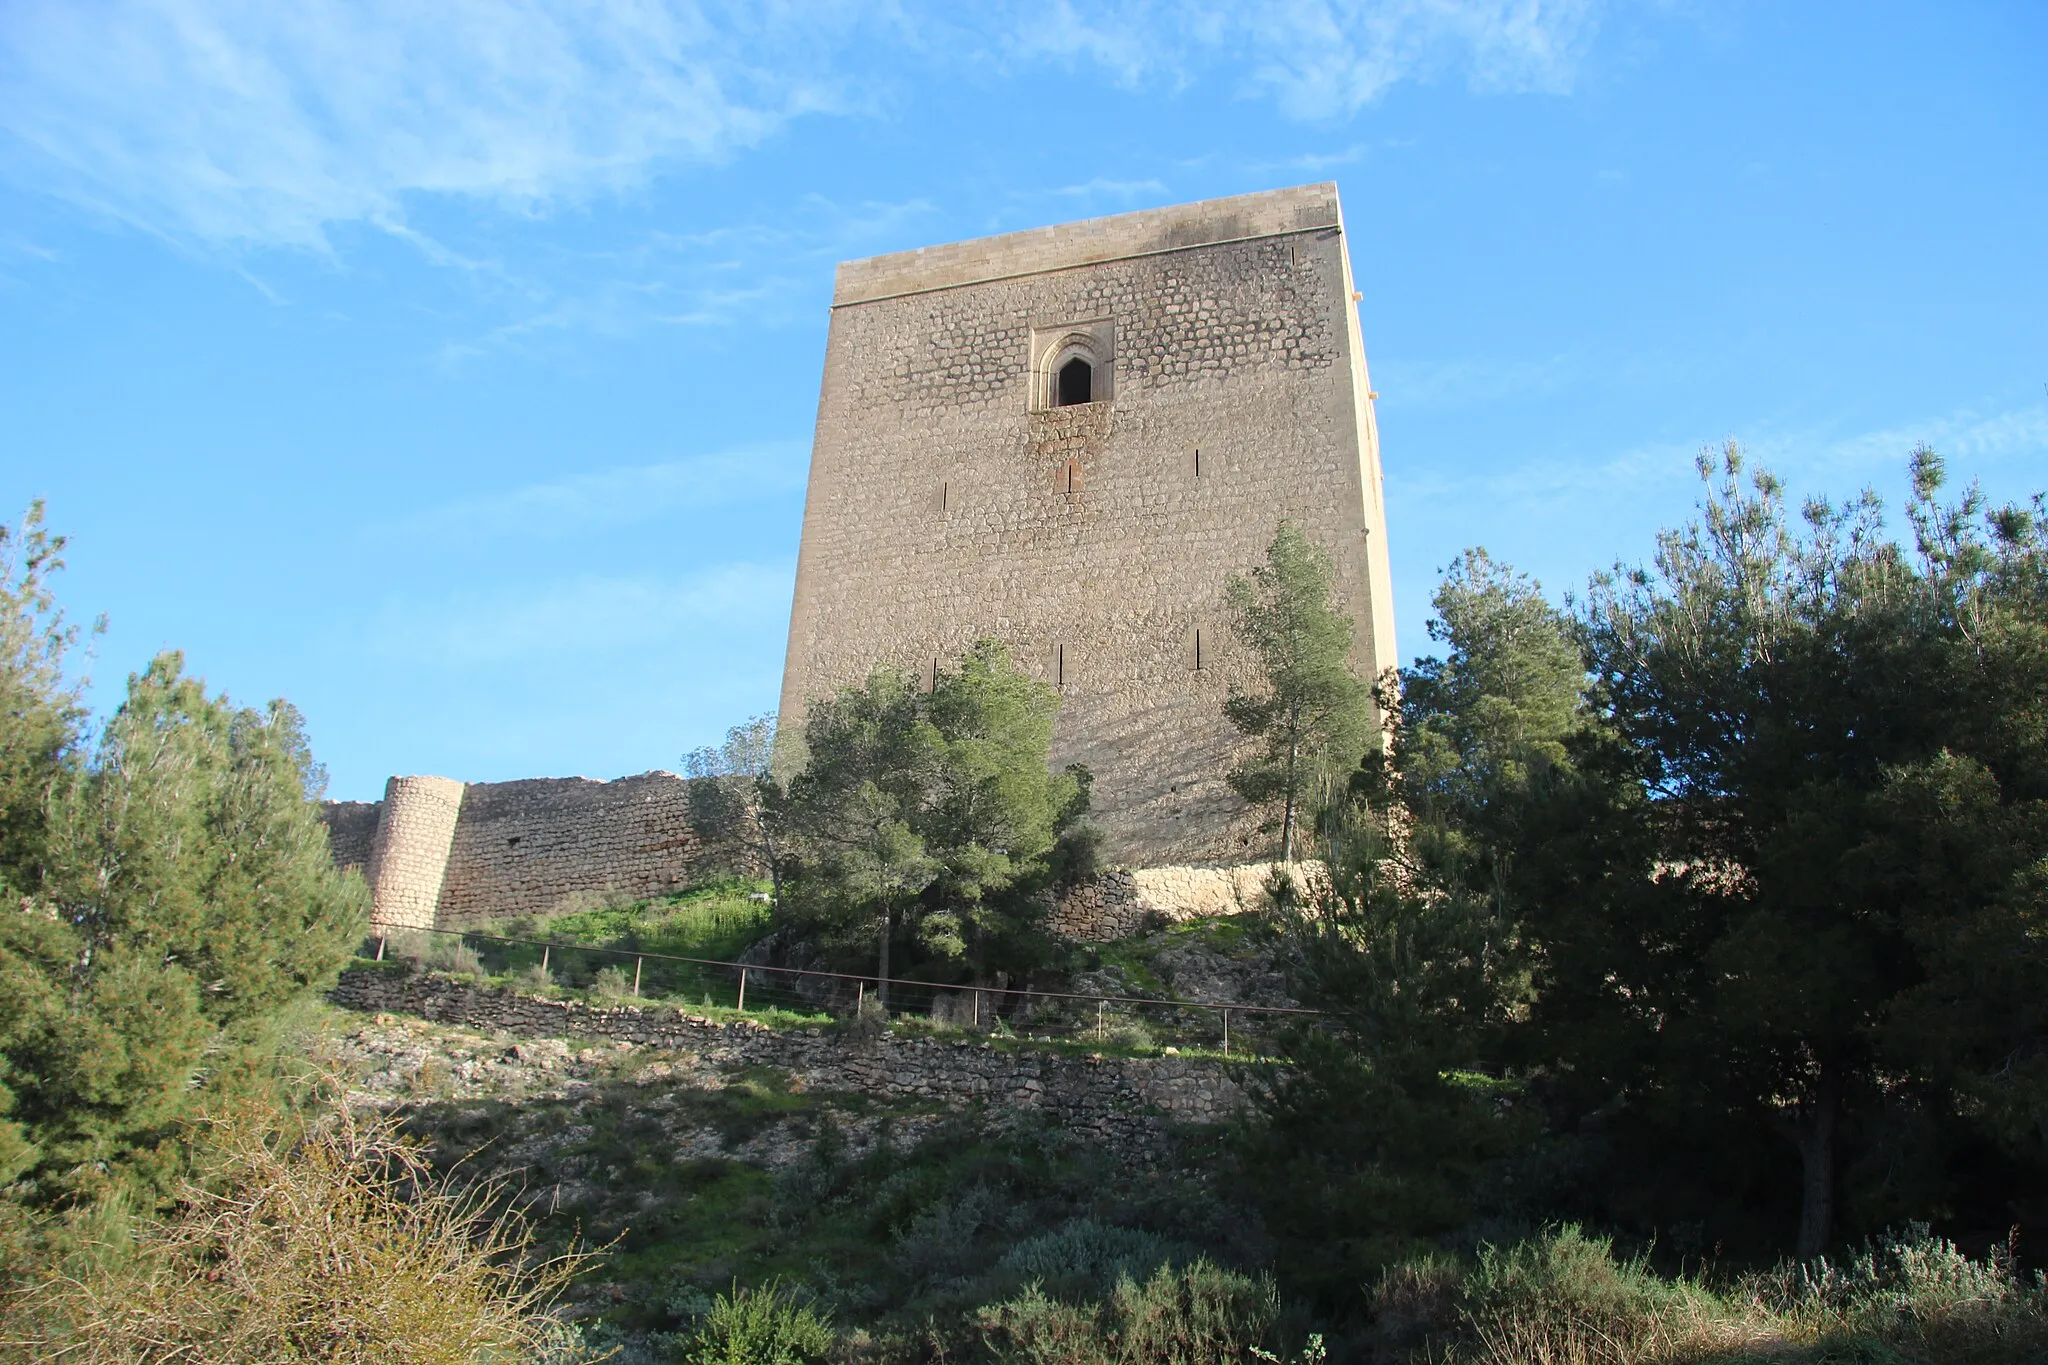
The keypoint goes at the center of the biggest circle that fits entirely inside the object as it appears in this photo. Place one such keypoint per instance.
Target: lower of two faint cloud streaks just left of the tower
(587, 617)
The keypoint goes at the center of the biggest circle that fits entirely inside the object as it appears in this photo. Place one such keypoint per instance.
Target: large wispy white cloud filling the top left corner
(267, 124)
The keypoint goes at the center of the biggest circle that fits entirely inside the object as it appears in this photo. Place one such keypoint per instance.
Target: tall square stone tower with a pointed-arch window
(1070, 439)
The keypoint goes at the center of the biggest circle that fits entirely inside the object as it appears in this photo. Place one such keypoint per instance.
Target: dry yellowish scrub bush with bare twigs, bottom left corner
(339, 1245)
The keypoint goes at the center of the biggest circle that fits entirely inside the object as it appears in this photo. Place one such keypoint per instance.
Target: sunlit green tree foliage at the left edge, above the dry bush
(169, 889)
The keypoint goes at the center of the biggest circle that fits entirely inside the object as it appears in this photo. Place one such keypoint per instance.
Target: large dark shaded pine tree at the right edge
(1832, 918)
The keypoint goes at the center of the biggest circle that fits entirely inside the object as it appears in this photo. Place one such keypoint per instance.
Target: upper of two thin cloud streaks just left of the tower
(609, 498)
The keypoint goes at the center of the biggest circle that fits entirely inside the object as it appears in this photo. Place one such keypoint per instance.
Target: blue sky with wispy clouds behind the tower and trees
(450, 369)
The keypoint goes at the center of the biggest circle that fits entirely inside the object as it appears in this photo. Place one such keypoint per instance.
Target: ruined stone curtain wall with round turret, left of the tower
(445, 856)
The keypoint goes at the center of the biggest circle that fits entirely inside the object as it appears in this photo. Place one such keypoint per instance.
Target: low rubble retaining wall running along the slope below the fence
(1117, 1100)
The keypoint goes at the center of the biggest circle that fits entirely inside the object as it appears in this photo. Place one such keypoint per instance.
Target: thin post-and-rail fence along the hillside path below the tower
(1138, 1022)
